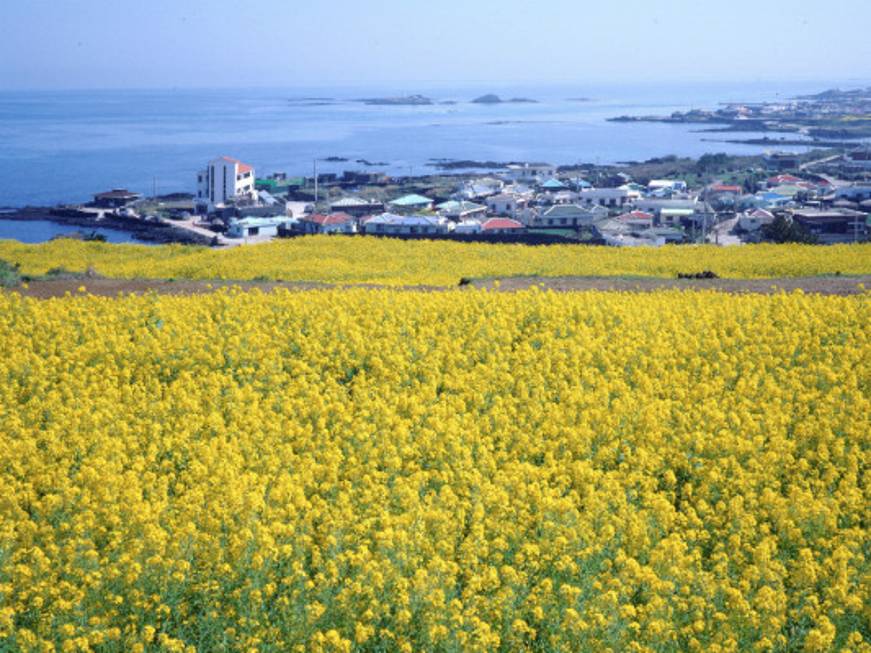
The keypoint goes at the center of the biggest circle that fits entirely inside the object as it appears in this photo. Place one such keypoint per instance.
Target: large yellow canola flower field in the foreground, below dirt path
(381, 470)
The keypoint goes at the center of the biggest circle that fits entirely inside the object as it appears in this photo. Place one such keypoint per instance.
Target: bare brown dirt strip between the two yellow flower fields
(111, 287)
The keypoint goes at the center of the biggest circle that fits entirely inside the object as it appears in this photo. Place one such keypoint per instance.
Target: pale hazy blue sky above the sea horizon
(221, 43)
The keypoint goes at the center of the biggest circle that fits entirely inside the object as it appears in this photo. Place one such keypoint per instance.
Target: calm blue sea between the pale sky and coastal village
(64, 146)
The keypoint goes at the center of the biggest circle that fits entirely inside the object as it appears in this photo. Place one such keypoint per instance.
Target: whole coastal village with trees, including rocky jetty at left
(820, 198)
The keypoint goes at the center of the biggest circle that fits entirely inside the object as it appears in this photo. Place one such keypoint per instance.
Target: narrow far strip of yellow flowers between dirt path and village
(345, 259)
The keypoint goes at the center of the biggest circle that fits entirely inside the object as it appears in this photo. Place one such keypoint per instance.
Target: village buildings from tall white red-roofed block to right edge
(534, 200)
